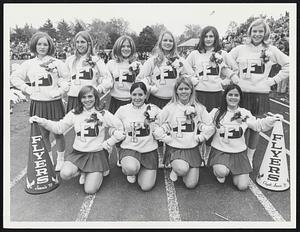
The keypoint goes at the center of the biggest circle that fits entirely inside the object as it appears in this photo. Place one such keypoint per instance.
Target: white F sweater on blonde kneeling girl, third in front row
(183, 131)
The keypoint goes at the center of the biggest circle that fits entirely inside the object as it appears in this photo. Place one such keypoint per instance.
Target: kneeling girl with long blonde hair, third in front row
(184, 124)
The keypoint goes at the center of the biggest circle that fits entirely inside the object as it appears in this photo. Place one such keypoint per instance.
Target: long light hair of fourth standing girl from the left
(160, 53)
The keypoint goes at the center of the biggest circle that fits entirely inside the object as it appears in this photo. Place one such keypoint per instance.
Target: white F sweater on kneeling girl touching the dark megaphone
(89, 135)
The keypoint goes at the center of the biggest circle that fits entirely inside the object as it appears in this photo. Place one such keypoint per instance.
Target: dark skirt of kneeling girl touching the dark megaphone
(89, 161)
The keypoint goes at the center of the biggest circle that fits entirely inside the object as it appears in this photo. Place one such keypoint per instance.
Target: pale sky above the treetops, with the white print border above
(173, 16)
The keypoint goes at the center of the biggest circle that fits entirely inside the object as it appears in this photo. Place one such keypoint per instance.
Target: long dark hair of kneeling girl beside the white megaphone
(223, 108)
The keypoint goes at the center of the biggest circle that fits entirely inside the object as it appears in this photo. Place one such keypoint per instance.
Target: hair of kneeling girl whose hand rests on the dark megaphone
(84, 90)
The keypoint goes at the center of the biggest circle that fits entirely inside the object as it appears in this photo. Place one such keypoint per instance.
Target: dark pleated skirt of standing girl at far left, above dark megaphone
(51, 110)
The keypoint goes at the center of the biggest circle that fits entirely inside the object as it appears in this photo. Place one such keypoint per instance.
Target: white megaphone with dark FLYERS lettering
(273, 172)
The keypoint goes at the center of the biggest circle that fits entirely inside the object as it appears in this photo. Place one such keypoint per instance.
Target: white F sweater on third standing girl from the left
(122, 78)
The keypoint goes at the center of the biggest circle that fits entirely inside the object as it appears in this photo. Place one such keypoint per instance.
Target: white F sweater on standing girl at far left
(45, 85)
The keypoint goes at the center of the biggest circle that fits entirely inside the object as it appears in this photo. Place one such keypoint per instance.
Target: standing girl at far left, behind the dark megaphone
(47, 76)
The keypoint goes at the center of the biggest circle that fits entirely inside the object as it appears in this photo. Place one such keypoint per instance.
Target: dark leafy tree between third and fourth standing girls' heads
(147, 40)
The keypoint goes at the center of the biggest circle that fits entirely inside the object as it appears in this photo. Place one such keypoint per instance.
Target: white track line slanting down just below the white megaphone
(265, 202)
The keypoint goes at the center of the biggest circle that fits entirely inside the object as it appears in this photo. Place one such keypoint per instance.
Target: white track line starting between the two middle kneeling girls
(173, 208)
